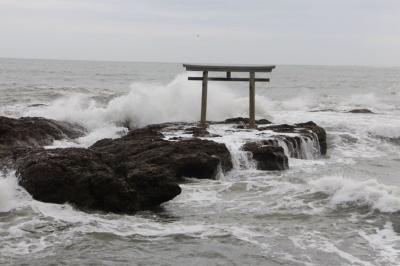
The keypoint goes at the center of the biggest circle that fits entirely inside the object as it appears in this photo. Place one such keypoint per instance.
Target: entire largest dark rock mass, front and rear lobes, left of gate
(135, 172)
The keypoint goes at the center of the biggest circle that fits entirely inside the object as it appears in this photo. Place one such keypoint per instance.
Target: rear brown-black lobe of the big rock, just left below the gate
(146, 146)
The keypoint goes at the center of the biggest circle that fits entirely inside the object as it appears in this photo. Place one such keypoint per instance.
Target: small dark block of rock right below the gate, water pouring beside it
(268, 157)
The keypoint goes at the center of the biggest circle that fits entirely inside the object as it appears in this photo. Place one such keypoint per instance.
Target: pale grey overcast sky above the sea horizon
(332, 32)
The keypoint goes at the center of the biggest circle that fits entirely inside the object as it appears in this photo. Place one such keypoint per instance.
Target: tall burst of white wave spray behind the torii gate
(148, 103)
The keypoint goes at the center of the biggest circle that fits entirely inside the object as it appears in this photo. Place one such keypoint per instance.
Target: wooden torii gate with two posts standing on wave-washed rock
(252, 69)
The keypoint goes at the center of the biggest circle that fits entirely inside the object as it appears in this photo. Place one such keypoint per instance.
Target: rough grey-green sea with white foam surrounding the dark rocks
(338, 209)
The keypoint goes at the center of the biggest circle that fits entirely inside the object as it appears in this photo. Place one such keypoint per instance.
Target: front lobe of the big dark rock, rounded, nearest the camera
(80, 177)
